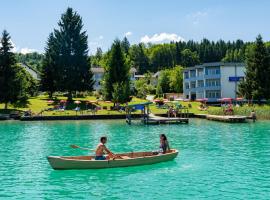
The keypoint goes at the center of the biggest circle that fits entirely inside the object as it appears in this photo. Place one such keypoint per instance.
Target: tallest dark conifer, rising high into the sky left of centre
(72, 58)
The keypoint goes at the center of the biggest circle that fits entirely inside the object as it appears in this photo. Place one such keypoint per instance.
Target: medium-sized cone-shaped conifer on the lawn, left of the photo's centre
(116, 71)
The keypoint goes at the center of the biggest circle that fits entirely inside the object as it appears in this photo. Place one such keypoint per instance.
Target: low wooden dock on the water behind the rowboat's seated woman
(153, 119)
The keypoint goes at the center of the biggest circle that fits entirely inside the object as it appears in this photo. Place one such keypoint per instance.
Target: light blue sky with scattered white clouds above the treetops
(29, 22)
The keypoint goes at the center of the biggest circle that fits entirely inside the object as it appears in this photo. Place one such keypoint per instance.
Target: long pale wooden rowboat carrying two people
(126, 160)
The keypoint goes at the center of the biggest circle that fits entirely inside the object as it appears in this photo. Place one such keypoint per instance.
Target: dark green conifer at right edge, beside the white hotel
(256, 83)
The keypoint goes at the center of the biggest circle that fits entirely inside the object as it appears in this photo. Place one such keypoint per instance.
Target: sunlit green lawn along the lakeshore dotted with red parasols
(39, 103)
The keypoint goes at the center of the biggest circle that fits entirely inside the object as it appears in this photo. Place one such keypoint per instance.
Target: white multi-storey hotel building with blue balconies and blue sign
(212, 80)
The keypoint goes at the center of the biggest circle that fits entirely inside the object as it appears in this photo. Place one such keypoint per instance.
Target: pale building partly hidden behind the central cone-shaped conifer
(98, 73)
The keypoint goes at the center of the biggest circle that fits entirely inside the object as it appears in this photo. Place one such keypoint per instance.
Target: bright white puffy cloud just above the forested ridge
(161, 38)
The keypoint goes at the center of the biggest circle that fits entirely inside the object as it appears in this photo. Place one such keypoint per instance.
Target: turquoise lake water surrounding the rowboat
(216, 161)
